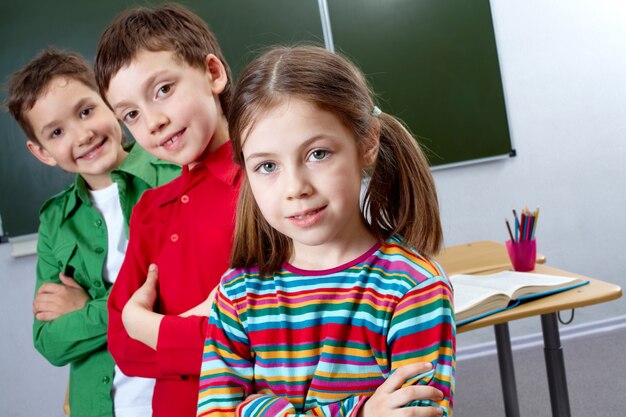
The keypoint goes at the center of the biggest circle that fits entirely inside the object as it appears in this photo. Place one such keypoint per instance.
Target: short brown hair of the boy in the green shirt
(29, 84)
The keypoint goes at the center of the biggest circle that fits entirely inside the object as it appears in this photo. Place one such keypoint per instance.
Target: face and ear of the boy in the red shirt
(172, 109)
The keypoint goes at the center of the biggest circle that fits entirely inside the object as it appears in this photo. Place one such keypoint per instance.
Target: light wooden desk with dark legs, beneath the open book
(486, 257)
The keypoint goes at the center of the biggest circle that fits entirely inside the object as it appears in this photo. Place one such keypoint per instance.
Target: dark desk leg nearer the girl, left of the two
(507, 371)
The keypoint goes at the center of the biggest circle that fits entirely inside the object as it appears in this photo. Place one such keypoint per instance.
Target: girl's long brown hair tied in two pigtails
(401, 197)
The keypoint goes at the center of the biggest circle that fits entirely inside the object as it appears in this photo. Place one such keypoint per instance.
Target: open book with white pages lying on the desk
(477, 296)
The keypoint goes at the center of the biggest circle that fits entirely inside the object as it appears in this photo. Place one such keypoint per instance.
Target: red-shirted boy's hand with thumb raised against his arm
(140, 321)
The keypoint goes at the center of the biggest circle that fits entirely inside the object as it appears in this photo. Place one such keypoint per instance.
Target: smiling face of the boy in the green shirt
(76, 131)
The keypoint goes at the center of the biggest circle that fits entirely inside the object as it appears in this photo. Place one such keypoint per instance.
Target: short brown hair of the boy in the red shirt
(170, 27)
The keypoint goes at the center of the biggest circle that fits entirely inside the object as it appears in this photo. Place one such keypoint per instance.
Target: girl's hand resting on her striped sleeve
(390, 397)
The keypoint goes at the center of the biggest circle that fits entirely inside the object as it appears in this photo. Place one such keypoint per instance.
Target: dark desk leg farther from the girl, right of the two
(555, 366)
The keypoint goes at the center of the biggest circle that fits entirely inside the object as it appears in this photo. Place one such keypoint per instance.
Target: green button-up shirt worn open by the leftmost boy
(73, 240)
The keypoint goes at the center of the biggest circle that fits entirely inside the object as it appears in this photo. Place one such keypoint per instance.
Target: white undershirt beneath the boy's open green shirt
(132, 396)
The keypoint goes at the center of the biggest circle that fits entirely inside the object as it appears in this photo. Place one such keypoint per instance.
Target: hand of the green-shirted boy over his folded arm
(54, 300)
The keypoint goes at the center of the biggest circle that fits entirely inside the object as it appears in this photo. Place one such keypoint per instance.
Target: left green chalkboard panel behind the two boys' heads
(242, 26)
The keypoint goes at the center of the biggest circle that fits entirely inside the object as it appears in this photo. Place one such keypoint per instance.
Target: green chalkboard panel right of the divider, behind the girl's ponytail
(434, 64)
